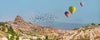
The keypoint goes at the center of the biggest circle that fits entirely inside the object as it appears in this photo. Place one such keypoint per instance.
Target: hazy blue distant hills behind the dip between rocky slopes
(59, 25)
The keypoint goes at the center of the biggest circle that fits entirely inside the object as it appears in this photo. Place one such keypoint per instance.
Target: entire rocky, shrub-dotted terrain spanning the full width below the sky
(19, 29)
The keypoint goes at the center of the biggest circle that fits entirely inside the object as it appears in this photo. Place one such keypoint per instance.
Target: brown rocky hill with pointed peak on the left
(21, 27)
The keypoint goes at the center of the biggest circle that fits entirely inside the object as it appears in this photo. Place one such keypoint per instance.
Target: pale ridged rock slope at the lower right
(91, 32)
